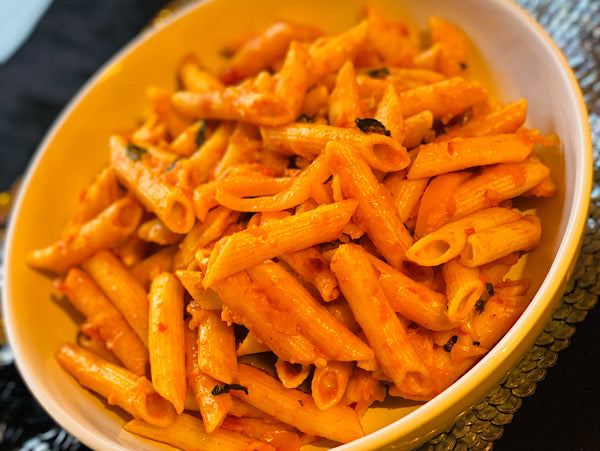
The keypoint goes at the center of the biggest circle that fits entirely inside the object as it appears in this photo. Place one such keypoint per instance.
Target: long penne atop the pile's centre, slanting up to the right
(247, 248)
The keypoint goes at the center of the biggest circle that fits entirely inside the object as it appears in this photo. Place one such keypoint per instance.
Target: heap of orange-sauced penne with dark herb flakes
(328, 221)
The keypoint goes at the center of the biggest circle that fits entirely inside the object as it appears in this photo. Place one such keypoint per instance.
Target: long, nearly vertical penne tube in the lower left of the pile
(166, 339)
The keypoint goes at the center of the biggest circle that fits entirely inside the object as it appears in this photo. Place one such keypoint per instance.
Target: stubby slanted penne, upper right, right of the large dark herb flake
(445, 99)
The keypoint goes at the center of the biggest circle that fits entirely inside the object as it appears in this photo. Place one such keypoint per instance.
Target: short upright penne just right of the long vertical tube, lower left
(216, 347)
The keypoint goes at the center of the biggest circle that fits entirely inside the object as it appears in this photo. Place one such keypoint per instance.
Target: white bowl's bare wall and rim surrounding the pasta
(512, 51)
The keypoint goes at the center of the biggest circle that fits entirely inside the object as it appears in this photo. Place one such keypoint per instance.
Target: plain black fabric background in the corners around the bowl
(73, 39)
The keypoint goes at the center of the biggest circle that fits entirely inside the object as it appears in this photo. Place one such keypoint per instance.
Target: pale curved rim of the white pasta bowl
(454, 395)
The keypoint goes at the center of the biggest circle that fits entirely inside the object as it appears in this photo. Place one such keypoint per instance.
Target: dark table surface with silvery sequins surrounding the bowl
(72, 40)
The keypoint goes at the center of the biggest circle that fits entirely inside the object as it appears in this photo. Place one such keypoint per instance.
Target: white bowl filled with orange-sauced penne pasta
(317, 240)
